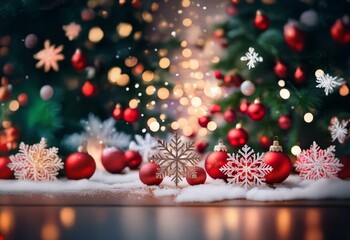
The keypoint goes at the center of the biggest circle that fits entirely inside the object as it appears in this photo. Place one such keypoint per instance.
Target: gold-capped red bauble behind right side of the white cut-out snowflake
(279, 161)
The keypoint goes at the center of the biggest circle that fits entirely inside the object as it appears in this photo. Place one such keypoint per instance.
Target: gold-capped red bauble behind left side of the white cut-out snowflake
(216, 160)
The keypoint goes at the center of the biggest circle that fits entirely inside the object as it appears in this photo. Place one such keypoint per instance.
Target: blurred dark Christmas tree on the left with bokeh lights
(62, 60)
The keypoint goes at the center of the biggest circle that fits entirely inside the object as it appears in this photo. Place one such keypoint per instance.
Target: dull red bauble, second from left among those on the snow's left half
(113, 160)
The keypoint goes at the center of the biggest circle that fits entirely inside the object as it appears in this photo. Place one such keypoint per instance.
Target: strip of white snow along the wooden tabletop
(214, 190)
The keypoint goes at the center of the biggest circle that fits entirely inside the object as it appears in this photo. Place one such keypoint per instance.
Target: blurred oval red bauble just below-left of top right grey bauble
(294, 37)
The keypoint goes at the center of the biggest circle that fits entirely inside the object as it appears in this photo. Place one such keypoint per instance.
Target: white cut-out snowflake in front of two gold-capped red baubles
(246, 168)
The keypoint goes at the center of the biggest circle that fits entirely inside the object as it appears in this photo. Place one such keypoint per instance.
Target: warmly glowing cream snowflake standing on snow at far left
(35, 162)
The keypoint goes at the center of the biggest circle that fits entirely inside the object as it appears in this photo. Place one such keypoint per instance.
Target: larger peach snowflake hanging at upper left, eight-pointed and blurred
(49, 56)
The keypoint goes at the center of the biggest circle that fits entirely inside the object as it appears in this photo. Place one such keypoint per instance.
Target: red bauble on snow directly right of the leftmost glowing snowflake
(80, 164)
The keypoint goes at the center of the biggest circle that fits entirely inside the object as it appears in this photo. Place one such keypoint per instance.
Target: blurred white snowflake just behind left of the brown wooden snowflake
(146, 146)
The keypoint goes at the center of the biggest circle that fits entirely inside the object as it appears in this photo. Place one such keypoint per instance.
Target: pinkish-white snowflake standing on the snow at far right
(315, 163)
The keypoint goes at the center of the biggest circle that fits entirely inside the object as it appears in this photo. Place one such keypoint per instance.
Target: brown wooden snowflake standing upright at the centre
(176, 159)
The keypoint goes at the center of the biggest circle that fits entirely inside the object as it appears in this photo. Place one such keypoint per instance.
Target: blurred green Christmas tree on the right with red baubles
(294, 58)
